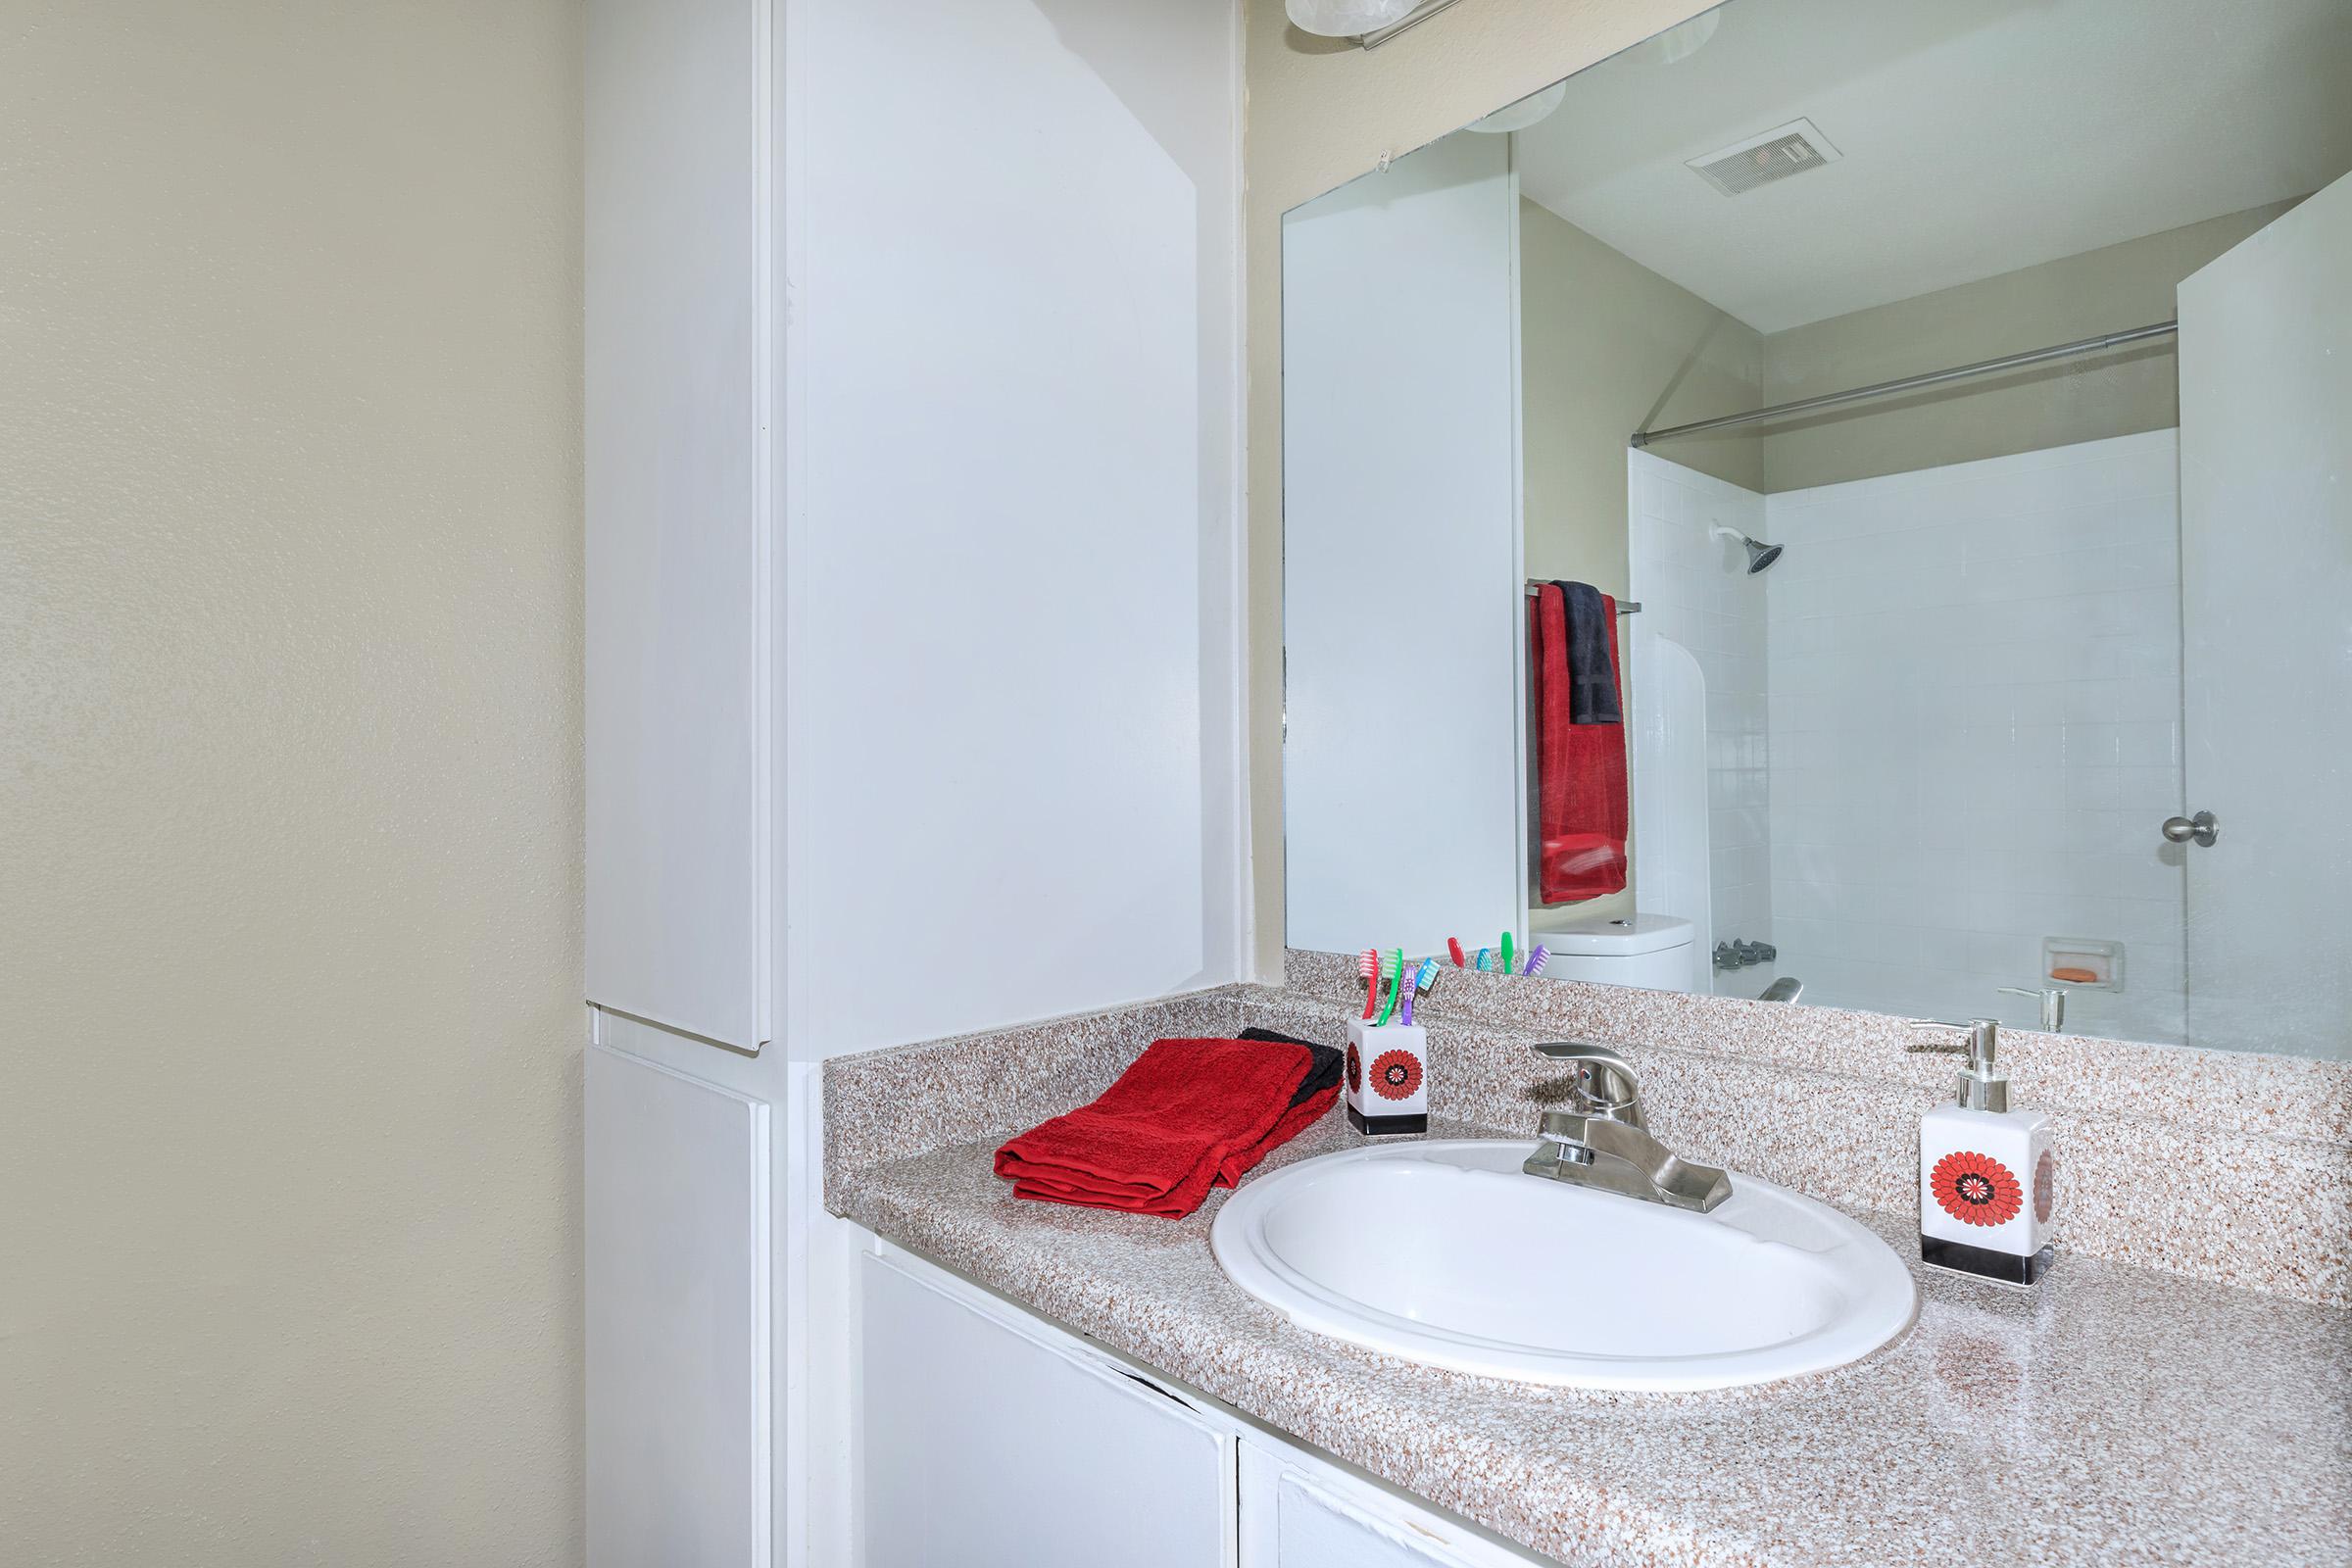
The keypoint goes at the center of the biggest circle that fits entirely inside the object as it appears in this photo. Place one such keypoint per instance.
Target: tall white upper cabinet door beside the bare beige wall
(679, 601)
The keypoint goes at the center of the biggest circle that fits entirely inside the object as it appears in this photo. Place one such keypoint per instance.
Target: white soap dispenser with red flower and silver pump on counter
(1989, 1179)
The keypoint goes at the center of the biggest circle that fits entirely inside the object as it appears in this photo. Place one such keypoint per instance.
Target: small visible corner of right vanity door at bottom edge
(1299, 1513)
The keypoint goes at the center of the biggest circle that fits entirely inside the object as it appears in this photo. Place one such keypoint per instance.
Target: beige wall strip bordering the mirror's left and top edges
(1323, 112)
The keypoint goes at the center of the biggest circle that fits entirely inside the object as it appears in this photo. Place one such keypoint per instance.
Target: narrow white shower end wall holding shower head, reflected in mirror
(1695, 589)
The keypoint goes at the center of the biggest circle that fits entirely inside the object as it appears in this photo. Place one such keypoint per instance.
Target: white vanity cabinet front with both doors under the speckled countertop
(991, 1438)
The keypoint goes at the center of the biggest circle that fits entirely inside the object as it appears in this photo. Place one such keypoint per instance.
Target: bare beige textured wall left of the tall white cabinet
(290, 833)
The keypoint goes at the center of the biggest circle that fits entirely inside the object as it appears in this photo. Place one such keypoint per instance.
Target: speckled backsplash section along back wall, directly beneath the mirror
(2214, 1165)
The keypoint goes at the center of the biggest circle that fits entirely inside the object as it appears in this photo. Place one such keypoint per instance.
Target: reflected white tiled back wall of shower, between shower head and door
(1975, 732)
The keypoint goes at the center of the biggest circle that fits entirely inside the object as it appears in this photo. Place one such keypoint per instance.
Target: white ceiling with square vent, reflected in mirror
(1975, 140)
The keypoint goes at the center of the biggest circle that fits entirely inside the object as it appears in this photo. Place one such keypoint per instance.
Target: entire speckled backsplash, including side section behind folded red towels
(2221, 1167)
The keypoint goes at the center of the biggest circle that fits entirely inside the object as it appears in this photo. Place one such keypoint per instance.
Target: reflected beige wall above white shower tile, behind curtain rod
(2050, 406)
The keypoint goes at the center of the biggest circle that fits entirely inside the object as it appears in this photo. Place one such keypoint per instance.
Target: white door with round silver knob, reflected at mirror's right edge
(2266, 610)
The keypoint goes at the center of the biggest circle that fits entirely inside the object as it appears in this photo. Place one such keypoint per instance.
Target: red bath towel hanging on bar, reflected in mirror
(1582, 810)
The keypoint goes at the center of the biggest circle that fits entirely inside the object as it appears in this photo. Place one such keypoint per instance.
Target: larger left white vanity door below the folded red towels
(989, 1447)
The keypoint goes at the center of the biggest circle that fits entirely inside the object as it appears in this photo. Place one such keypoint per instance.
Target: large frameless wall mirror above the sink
(1847, 502)
